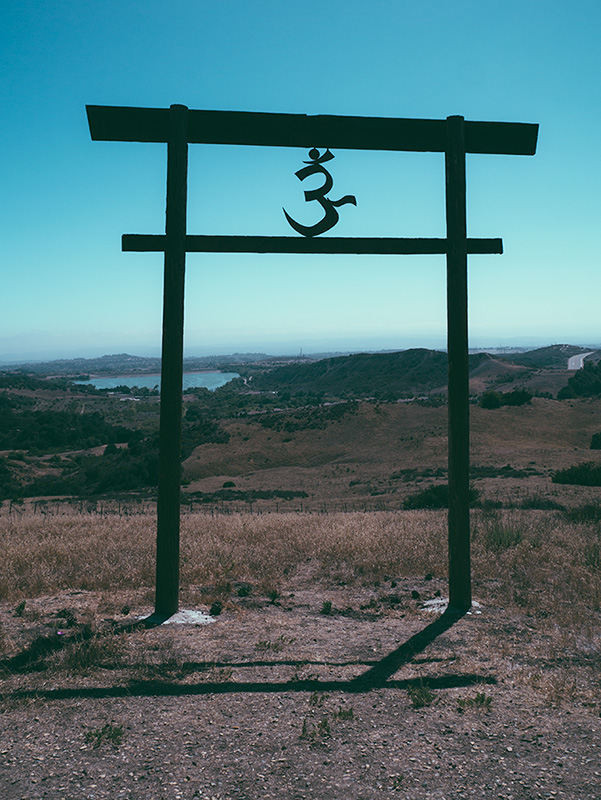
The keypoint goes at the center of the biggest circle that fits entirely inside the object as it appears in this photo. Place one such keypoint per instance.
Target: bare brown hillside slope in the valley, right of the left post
(380, 450)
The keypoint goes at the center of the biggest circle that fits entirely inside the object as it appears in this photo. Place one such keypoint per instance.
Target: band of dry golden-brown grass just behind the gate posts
(537, 561)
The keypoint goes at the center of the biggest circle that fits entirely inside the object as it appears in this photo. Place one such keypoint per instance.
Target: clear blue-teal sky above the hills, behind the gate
(67, 289)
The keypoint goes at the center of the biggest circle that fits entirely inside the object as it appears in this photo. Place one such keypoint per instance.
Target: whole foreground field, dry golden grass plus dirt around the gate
(324, 675)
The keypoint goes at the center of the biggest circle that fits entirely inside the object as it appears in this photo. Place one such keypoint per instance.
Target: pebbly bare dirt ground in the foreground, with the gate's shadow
(324, 692)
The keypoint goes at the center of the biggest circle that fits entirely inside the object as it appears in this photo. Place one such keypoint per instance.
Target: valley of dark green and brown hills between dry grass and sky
(363, 431)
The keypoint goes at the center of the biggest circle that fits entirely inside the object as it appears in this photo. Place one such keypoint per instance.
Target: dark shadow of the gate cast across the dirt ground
(378, 675)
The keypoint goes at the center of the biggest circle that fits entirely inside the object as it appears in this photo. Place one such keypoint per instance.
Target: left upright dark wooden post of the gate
(168, 506)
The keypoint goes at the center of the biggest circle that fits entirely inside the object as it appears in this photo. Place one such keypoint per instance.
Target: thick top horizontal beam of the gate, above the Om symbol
(124, 124)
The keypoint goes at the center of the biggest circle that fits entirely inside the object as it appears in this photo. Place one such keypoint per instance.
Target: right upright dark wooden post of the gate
(460, 590)
